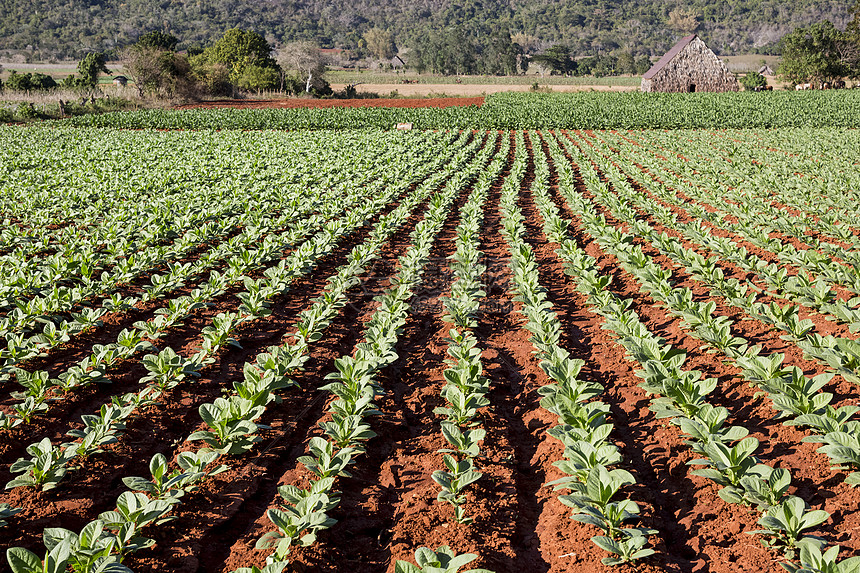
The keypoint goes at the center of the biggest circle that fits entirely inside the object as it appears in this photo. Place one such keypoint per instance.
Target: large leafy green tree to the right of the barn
(814, 54)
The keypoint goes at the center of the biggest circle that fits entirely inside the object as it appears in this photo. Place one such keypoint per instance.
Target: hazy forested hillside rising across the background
(50, 29)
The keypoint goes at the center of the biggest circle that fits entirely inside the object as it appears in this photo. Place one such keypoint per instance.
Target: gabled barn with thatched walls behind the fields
(690, 66)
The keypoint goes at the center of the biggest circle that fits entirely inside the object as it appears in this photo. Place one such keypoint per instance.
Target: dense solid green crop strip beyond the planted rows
(532, 111)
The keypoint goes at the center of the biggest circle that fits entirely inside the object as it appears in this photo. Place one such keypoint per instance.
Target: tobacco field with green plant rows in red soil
(541, 350)
